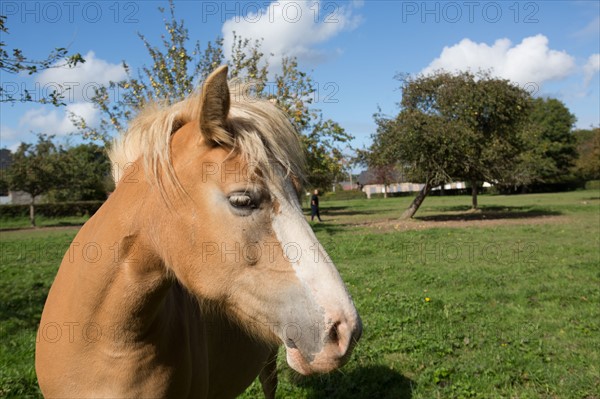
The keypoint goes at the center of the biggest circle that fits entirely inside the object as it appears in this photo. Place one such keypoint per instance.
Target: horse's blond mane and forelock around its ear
(258, 131)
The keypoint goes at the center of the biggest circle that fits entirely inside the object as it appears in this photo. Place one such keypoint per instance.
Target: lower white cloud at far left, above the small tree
(56, 121)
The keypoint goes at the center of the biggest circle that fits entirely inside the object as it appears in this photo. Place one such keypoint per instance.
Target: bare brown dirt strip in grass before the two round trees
(419, 224)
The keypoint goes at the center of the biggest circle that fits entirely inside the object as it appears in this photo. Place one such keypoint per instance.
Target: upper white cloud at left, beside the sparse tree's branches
(82, 79)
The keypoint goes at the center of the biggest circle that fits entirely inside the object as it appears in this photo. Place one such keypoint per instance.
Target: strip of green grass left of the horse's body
(28, 262)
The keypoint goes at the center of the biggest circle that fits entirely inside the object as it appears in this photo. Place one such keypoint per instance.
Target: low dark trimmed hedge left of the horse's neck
(59, 209)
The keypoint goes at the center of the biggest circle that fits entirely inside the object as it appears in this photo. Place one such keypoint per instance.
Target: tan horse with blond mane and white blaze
(199, 265)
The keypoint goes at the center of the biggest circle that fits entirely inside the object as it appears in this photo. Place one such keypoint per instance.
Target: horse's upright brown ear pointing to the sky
(214, 107)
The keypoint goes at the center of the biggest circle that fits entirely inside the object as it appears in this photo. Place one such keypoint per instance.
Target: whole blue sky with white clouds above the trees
(353, 48)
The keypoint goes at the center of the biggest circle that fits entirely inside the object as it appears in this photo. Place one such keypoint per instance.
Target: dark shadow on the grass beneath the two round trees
(464, 213)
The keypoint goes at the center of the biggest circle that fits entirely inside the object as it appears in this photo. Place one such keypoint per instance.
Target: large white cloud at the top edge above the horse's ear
(294, 28)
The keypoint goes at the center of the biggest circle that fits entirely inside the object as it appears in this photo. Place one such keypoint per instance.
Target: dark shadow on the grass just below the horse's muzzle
(369, 382)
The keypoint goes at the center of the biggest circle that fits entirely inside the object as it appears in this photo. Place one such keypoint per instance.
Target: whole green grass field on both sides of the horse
(502, 303)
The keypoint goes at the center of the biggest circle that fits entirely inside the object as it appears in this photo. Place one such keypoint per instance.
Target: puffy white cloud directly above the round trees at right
(530, 61)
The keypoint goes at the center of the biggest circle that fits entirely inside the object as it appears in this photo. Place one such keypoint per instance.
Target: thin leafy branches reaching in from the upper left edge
(13, 61)
